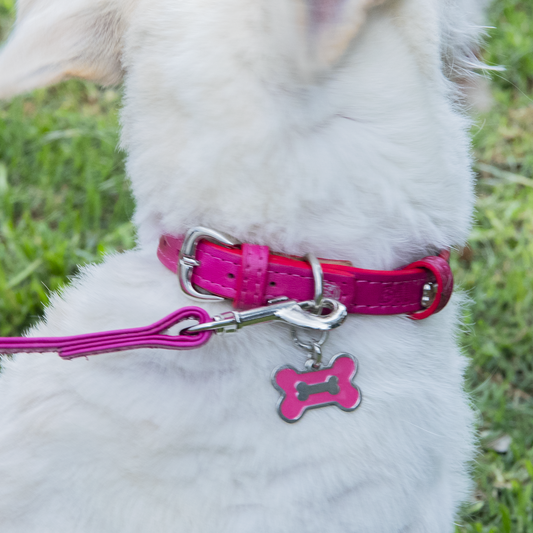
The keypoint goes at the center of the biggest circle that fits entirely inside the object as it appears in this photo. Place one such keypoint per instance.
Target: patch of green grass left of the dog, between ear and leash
(63, 196)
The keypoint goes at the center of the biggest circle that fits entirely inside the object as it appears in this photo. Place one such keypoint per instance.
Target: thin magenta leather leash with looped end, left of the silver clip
(114, 341)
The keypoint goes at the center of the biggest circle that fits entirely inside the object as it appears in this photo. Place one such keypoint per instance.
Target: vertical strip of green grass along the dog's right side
(497, 271)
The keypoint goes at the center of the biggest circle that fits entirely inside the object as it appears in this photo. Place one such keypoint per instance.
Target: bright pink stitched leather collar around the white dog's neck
(251, 275)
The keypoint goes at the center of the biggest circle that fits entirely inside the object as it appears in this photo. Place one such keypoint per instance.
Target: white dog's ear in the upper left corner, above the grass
(55, 40)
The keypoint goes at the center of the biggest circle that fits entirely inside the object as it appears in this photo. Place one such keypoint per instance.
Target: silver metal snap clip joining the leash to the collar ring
(297, 314)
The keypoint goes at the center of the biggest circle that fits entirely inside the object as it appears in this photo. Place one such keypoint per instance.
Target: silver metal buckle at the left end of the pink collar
(187, 259)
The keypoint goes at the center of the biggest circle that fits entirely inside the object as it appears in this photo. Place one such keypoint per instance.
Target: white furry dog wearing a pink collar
(321, 126)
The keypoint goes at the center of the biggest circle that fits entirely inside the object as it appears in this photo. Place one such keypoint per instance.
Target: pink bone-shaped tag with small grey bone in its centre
(331, 385)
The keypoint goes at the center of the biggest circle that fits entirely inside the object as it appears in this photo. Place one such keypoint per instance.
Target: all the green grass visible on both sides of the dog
(64, 201)
